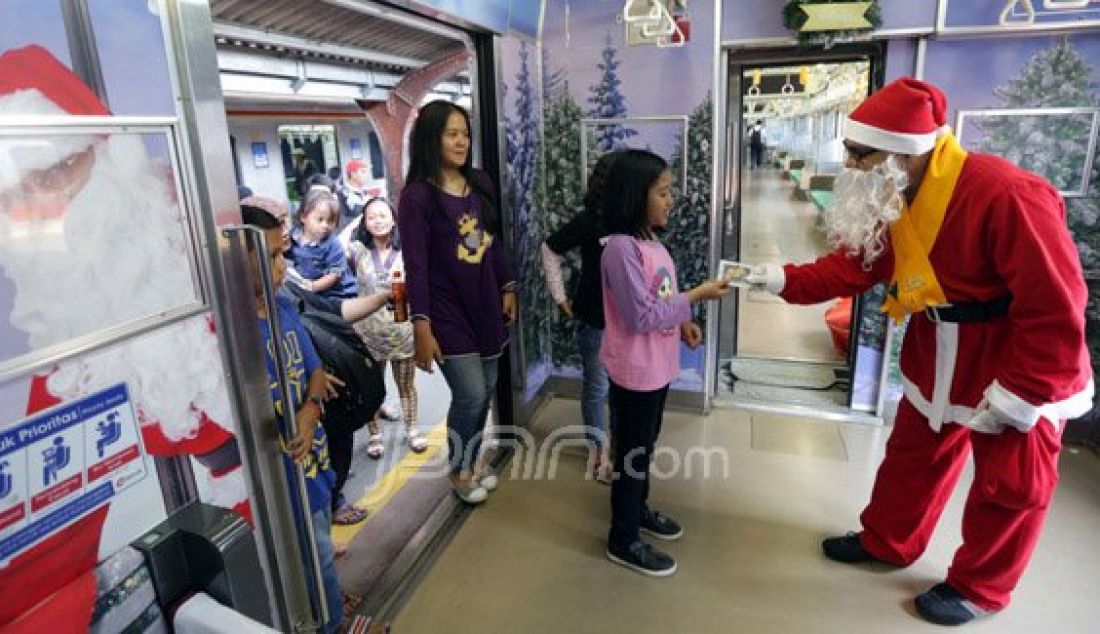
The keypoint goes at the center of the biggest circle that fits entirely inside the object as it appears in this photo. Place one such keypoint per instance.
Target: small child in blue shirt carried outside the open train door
(317, 255)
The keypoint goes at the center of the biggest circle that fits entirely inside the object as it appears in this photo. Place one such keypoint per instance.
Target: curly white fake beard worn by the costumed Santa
(866, 203)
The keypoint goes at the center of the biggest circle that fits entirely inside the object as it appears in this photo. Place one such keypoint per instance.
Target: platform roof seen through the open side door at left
(326, 52)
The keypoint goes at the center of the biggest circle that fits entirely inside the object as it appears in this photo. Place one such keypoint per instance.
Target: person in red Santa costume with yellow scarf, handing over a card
(976, 253)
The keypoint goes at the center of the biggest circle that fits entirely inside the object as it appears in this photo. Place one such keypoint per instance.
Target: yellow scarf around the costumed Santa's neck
(915, 287)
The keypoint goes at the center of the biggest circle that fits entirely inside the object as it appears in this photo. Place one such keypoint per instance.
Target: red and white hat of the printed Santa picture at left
(35, 83)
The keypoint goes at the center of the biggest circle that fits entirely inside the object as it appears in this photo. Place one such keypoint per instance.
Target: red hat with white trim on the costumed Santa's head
(906, 117)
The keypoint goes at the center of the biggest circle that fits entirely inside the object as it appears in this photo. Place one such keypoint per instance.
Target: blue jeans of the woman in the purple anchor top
(472, 381)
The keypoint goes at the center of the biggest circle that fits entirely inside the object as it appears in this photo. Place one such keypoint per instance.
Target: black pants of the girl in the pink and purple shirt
(639, 423)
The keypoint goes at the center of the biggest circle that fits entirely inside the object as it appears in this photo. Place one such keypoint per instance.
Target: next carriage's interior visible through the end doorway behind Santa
(793, 151)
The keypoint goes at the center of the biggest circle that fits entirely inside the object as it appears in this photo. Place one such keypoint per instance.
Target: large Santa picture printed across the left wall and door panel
(93, 237)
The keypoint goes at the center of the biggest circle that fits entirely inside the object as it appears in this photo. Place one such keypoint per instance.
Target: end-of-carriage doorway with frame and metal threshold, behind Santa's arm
(786, 114)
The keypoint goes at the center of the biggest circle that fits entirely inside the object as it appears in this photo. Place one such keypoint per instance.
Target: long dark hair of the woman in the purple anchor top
(427, 166)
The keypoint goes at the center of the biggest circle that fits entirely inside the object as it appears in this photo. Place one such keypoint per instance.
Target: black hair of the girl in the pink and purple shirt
(626, 194)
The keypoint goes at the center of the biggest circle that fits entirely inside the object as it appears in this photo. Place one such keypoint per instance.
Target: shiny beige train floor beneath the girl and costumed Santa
(532, 559)
